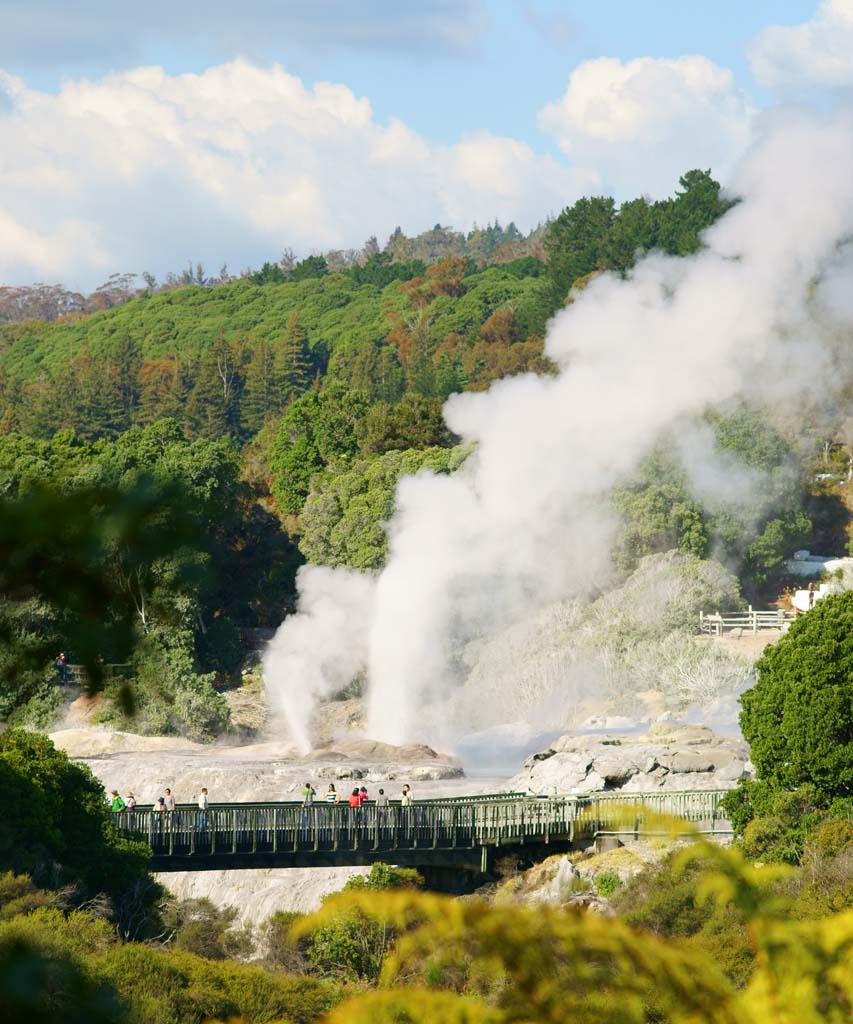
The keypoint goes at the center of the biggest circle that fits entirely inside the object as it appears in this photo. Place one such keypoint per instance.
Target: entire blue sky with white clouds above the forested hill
(142, 138)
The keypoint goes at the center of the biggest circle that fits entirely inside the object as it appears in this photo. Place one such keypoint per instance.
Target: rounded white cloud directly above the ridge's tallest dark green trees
(645, 122)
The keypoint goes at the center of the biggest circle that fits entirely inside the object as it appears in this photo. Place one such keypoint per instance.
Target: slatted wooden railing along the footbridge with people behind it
(450, 824)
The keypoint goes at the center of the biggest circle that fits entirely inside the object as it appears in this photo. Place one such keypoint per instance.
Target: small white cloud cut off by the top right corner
(817, 54)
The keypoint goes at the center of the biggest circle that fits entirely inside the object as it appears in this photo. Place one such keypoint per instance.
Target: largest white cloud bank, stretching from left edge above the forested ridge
(145, 170)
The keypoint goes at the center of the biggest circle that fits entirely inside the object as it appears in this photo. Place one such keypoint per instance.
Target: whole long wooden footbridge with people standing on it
(464, 832)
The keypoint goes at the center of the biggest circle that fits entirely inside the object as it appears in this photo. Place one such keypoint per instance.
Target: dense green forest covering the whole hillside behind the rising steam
(276, 412)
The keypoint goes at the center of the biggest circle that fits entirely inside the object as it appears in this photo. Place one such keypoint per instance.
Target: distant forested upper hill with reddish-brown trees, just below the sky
(224, 359)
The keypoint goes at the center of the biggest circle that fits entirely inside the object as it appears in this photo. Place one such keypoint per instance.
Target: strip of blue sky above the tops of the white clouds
(503, 61)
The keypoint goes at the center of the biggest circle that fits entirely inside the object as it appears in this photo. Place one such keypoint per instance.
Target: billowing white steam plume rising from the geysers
(526, 523)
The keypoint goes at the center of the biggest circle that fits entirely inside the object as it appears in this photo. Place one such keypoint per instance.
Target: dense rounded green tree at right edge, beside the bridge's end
(798, 718)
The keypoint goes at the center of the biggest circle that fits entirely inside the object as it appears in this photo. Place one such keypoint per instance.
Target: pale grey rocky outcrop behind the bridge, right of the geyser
(669, 757)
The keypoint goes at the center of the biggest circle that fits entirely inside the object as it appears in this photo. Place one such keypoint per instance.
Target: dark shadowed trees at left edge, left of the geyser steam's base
(164, 553)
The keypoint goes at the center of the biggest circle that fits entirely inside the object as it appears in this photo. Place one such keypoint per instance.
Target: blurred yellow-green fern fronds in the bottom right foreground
(552, 966)
